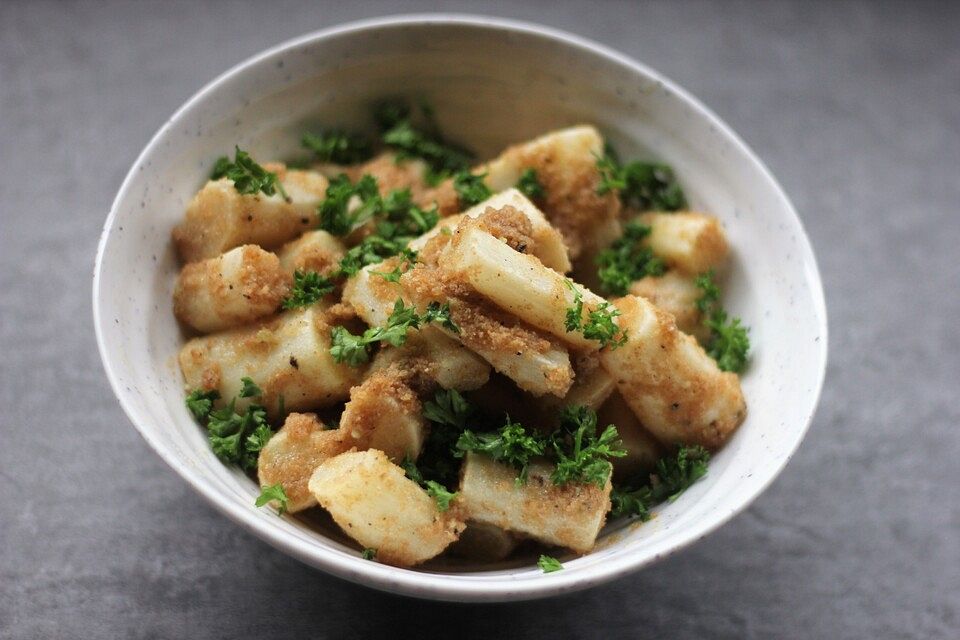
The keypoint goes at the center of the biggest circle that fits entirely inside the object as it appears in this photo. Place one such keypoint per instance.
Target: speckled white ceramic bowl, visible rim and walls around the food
(493, 82)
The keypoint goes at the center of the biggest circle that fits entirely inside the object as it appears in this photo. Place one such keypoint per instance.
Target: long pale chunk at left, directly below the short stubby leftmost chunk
(287, 356)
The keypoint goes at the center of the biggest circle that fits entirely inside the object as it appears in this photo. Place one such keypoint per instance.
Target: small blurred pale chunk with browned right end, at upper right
(688, 241)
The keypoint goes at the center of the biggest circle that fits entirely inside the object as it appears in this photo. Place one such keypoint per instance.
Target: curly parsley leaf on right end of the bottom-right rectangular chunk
(581, 454)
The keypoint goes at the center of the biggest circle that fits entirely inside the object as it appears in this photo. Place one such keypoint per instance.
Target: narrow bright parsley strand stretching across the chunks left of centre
(355, 350)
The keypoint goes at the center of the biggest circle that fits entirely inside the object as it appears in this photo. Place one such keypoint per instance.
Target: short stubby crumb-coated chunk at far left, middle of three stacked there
(237, 288)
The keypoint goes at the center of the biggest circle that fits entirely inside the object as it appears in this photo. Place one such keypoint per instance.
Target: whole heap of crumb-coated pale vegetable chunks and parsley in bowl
(418, 344)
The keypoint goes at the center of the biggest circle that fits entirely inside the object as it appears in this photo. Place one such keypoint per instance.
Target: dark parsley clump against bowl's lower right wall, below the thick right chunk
(673, 475)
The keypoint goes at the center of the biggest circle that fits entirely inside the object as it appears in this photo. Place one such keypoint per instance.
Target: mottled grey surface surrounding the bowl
(854, 106)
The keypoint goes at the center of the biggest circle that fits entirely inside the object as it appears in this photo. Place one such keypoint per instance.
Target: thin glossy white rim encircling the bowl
(447, 586)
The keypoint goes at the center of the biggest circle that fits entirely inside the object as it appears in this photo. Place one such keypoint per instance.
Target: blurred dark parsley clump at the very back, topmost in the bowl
(409, 141)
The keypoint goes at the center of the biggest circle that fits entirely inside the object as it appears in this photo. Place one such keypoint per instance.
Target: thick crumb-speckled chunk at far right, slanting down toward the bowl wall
(674, 388)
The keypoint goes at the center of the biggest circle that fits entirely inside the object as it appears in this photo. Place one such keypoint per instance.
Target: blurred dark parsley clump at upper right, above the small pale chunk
(641, 185)
